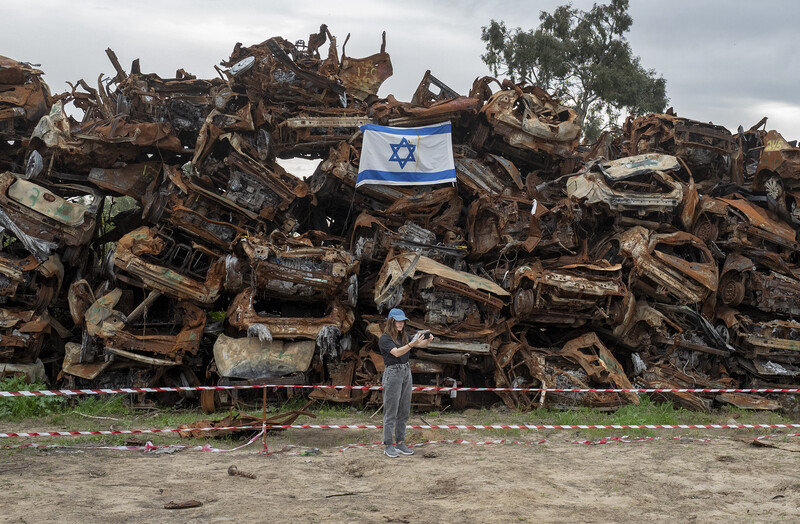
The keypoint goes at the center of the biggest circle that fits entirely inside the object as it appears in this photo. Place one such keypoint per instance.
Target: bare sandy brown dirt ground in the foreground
(558, 481)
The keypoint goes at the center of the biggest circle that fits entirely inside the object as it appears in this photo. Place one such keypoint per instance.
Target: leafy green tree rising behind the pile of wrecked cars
(583, 58)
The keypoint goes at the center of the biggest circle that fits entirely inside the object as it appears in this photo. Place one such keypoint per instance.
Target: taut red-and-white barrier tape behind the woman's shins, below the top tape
(410, 426)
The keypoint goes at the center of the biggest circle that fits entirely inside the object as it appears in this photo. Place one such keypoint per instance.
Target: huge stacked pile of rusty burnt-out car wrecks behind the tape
(664, 258)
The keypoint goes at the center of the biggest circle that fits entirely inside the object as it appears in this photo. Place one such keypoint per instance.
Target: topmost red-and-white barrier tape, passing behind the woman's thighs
(429, 389)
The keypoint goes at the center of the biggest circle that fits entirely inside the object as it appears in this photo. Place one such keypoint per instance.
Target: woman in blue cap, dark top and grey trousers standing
(395, 347)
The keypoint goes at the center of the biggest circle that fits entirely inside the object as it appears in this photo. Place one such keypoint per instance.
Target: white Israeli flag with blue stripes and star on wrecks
(406, 156)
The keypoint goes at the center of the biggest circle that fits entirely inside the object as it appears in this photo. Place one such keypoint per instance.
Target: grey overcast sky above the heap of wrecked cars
(728, 62)
